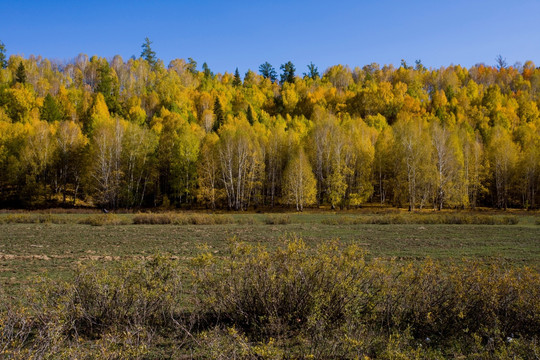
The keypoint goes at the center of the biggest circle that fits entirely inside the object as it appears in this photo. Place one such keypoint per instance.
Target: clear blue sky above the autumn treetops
(244, 34)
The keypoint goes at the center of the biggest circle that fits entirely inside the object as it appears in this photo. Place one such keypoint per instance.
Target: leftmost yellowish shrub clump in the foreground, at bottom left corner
(117, 311)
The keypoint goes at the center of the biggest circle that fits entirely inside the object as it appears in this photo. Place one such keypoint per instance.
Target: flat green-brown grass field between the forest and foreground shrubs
(34, 244)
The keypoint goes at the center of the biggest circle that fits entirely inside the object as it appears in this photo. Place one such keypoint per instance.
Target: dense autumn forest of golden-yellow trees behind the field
(137, 134)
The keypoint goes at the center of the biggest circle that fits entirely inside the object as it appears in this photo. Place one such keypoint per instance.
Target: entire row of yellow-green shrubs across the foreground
(290, 302)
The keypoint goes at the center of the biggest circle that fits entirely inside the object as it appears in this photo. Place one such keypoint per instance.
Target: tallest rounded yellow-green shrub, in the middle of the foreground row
(291, 288)
